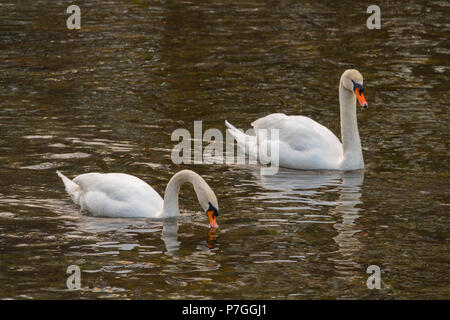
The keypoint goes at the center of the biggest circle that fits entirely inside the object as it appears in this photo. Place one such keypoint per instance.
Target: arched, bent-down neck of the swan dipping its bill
(170, 207)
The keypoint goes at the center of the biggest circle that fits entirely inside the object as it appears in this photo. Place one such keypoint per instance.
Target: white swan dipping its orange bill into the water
(122, 195)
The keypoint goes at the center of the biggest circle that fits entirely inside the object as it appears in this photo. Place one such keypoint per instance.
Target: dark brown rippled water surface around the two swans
(107, 98)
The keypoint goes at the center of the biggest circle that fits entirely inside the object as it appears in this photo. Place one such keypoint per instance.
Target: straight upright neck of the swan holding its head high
(351, 142)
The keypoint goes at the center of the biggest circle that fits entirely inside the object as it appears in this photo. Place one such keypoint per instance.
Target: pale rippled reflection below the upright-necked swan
(310, 190)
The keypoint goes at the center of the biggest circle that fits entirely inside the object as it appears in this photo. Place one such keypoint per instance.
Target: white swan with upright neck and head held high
(307, 145)
